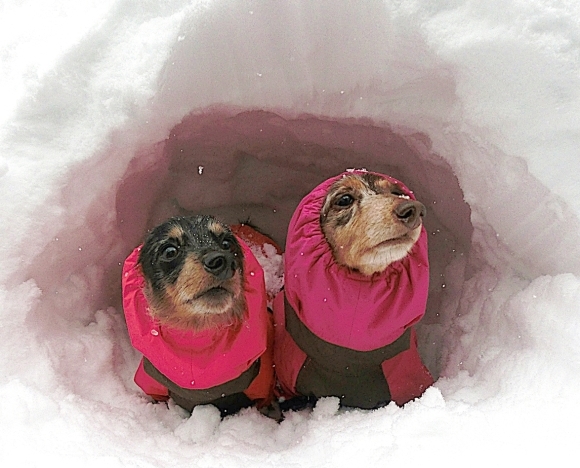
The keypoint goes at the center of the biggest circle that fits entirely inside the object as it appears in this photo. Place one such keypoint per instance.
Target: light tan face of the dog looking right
(369, 222)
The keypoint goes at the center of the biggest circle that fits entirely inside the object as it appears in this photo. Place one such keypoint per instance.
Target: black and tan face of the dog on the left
(193, 269)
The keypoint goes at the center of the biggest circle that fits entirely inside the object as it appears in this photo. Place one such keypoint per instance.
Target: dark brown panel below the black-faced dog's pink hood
(228, 397)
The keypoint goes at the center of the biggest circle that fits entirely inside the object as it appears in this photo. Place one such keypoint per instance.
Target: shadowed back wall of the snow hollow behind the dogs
(257, 166)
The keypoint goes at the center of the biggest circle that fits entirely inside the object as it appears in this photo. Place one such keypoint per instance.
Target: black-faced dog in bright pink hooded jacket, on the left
(195, 306)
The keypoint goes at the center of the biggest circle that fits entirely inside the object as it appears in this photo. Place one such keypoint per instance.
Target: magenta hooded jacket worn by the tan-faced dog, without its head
(348, 309)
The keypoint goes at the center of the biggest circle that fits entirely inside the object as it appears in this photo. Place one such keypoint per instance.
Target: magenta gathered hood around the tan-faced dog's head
(370, 311)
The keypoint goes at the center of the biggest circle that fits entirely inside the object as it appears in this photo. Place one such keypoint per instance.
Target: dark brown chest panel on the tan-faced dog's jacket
(356, 377)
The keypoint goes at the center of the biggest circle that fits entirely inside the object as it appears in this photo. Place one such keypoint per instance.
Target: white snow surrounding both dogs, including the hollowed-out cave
(115, 115)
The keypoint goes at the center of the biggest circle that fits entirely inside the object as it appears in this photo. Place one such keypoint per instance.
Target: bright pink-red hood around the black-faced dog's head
(195, 360)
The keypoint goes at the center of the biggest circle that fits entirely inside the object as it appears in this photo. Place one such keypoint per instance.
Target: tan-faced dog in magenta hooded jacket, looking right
(356, 280)
